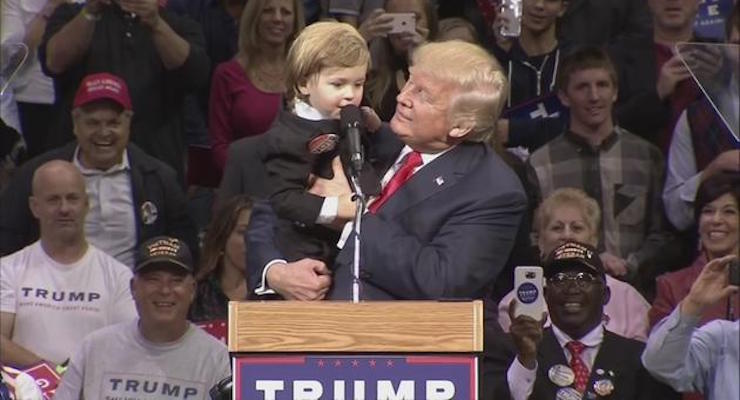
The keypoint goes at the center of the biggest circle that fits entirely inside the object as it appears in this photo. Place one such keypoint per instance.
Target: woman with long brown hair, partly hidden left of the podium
(222, 273)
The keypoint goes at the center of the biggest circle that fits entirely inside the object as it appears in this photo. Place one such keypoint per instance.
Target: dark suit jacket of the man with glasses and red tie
(617, 354)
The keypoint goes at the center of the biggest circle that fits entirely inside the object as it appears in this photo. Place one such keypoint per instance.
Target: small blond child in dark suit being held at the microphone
(327, 64)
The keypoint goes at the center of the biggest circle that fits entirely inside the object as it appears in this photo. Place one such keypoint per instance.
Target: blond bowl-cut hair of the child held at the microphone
(323, 45)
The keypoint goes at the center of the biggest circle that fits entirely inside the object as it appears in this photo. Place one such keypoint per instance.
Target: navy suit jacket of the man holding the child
(446, 233)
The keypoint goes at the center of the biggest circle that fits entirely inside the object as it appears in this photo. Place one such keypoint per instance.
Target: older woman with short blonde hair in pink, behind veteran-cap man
(569, 214)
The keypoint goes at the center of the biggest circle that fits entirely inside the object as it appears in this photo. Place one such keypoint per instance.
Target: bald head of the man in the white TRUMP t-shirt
(59, 201)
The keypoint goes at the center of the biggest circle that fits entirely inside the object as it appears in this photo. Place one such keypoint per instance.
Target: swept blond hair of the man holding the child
(479, 84)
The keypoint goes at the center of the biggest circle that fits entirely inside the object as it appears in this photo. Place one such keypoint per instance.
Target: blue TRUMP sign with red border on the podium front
(356, 377)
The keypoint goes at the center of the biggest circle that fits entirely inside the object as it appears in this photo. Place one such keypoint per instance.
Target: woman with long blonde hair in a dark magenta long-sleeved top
(247, 91)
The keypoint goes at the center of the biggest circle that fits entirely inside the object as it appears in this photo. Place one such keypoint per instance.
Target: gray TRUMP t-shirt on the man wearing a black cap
(117, 362)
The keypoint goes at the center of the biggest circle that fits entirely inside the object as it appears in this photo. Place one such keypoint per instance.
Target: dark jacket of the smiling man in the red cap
(151, 180)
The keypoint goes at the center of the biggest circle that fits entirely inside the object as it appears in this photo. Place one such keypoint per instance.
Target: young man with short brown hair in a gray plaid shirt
(623, 172)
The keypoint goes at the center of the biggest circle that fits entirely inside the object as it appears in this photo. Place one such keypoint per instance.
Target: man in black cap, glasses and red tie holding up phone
(576, 357)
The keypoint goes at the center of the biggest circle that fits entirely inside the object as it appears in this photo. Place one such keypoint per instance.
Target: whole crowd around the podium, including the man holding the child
(593, 144)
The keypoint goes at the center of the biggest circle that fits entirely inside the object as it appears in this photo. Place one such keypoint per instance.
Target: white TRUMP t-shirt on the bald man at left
(56, 305)
